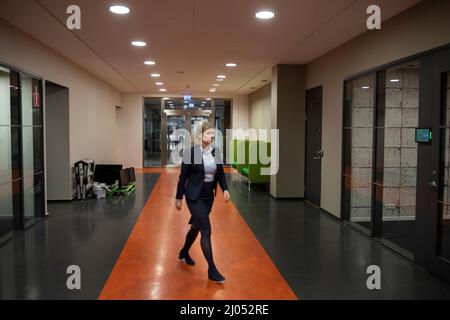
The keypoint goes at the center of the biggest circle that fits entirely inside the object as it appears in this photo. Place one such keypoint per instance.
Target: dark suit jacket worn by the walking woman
(192, 174)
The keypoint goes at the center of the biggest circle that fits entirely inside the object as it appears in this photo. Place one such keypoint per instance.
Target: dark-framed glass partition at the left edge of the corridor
(21, 151)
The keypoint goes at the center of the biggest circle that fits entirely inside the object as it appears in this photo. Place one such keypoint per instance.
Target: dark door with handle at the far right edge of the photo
(433, 216)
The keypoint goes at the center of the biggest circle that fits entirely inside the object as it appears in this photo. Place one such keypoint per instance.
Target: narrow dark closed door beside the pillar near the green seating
(314, 152)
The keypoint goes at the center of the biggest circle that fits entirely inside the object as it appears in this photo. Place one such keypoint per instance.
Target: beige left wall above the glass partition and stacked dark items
(92, 101)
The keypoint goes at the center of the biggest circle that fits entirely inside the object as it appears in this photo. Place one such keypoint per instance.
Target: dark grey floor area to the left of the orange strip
(90, 234)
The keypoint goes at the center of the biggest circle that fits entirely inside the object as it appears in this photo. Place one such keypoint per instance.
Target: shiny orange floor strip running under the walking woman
(148, 267)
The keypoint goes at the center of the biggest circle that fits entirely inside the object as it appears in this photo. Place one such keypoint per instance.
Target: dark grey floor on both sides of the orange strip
(319, 257)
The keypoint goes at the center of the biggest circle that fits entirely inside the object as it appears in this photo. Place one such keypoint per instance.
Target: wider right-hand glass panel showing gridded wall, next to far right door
(400, 154)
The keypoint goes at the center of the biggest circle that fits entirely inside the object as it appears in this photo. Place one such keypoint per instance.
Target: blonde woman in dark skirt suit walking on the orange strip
(201, 170)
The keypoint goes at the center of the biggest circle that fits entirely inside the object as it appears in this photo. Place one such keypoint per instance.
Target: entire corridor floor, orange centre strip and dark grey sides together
(266, 248)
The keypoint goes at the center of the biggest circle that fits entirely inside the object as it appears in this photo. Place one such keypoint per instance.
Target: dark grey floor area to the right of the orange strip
(322, 258)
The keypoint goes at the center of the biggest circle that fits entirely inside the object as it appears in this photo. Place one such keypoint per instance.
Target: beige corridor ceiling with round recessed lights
(191, 40)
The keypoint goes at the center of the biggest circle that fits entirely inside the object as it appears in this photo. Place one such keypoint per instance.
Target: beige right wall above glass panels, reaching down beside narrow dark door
(423, 27)
